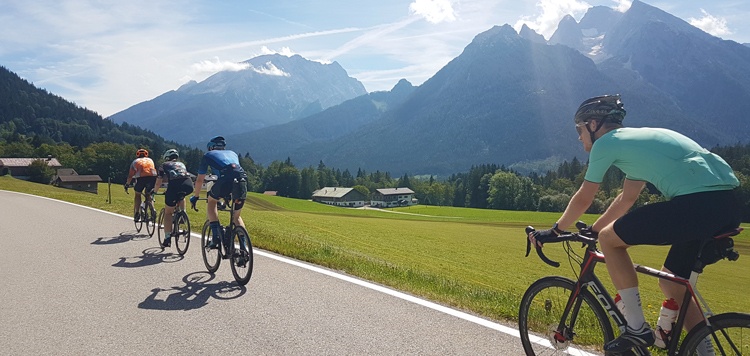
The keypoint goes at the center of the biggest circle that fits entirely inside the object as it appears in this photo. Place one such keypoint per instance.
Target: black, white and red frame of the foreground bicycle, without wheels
(589, 280)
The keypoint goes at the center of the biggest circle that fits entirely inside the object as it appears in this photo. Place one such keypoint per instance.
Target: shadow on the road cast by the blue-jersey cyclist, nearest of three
(193, 295)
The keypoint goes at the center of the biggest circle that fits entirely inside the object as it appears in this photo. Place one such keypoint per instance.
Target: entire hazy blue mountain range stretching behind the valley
(507, 99)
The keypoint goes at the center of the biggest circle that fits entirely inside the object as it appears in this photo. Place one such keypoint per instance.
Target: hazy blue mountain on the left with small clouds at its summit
(272, 90)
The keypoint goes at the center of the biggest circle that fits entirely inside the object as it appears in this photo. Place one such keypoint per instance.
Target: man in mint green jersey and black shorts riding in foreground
(701, 203)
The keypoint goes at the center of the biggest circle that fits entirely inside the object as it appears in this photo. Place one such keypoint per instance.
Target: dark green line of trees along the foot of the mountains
(485, 186)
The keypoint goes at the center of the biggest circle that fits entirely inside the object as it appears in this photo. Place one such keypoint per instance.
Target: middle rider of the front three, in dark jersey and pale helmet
(179, 185)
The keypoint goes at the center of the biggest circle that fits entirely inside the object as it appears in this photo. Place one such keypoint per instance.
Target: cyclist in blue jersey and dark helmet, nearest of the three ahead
(231, 184)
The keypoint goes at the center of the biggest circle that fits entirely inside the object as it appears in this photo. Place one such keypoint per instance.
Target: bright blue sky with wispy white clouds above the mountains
(110, 55)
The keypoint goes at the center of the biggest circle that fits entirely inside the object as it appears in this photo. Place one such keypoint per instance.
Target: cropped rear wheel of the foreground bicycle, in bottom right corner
(730, 336)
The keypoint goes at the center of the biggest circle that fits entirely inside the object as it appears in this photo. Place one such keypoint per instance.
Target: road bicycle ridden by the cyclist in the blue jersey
(236, 247)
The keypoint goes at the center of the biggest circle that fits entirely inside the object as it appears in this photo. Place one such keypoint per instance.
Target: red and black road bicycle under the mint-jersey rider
(561, 316)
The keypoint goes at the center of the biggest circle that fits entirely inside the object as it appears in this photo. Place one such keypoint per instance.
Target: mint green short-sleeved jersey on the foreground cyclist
(672, 162)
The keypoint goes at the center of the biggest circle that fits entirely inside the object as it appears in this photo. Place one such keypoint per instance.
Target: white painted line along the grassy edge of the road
(443, 309)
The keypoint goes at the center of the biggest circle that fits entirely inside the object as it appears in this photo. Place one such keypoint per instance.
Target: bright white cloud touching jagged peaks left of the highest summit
(552, 11)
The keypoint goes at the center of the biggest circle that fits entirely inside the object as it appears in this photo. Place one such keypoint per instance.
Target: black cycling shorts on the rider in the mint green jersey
(683, 222)
